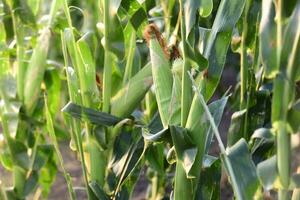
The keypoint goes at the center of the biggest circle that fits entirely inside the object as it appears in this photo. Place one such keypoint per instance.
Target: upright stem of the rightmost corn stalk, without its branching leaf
(279, 113)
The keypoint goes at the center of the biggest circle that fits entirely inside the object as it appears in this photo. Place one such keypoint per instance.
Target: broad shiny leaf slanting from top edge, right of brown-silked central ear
(218, 42)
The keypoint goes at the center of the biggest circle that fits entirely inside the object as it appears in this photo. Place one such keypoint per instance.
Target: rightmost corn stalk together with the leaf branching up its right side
(283, 92)
